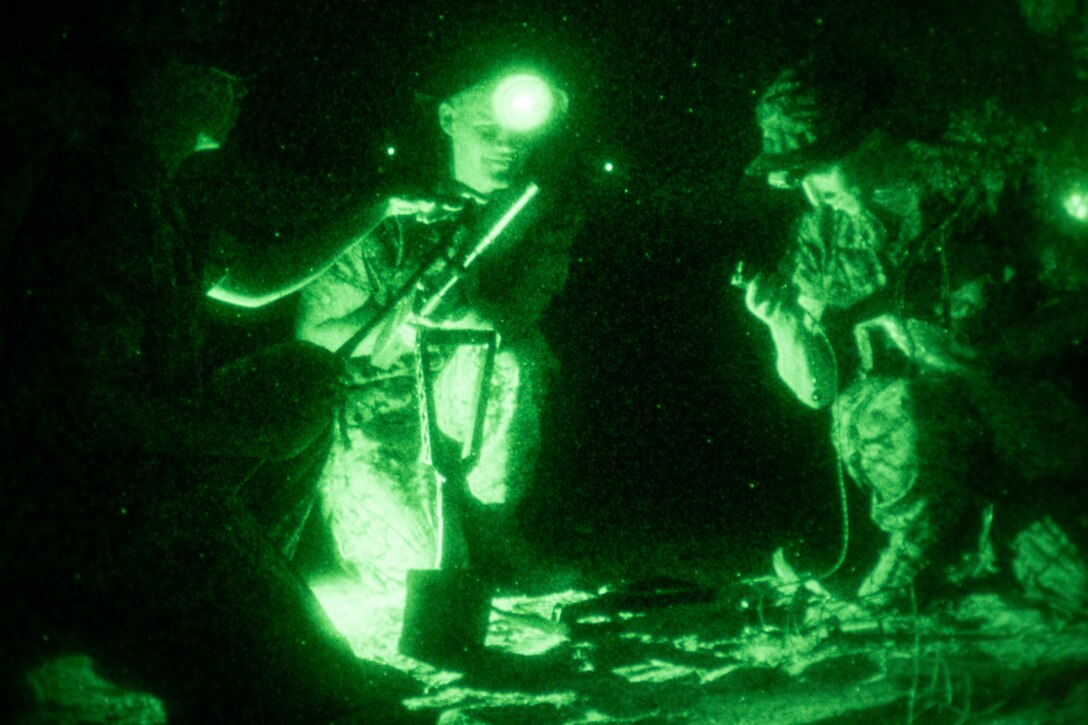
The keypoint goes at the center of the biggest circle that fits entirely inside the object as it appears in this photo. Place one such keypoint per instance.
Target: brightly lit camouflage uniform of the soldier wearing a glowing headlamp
(377, 491)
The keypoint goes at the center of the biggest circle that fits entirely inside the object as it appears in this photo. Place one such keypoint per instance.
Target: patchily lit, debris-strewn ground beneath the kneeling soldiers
(665, 652)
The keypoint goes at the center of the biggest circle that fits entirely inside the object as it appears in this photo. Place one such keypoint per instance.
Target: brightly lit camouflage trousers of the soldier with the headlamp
(378, 494)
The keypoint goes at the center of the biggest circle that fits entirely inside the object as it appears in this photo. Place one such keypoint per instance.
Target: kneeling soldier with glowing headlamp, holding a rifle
(377, 490)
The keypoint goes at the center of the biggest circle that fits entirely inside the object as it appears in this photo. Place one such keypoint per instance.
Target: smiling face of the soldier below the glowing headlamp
(486, 156)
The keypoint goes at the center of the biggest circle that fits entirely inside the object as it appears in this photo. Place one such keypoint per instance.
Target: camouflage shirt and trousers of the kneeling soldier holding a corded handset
(905, 439)
